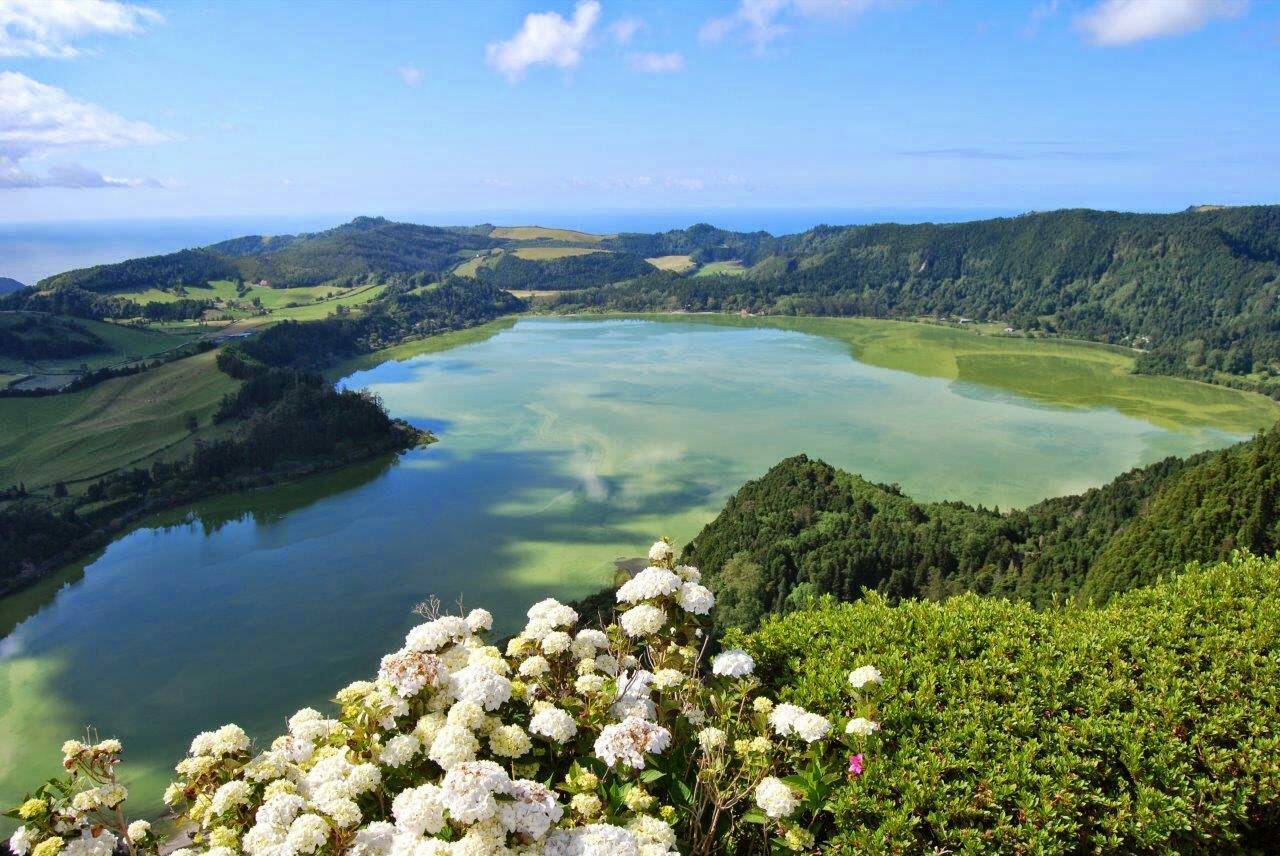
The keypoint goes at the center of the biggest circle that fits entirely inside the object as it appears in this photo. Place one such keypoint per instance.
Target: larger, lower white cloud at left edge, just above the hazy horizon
(38, 120)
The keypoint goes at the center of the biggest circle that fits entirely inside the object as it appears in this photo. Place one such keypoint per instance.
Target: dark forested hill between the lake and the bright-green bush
(807, 529)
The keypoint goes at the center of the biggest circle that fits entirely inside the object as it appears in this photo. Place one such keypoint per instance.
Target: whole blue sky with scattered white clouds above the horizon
(177, 109)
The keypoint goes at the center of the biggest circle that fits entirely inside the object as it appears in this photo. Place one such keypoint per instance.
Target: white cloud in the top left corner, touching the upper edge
(48, 28)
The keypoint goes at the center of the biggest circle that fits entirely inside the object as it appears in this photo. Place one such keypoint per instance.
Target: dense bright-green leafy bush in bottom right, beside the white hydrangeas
(1145, 726)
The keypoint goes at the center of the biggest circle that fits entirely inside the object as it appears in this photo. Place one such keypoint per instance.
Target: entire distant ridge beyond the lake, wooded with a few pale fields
(1196, 291)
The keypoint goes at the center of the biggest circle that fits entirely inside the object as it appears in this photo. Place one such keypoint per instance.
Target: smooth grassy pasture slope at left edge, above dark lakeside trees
(112, 425)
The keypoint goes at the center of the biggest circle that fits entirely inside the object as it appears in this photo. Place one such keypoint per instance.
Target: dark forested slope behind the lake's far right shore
(1199, 289)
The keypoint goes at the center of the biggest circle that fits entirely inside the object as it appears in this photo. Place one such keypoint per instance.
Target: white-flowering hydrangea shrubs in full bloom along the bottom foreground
(616, 741)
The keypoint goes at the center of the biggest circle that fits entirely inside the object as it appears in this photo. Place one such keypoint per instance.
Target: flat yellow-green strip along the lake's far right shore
(1052, 372)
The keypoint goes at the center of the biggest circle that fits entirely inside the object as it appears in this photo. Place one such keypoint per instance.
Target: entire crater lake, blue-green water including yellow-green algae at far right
(565, 446)
